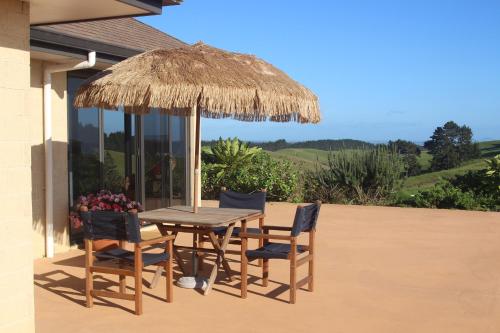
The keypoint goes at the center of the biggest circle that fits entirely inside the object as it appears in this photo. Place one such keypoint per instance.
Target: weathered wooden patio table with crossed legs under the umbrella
(172, 220)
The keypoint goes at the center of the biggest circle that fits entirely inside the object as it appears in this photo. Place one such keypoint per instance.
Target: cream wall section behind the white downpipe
(60, 151)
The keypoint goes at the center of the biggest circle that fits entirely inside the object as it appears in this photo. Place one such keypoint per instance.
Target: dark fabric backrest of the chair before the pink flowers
(111, 225)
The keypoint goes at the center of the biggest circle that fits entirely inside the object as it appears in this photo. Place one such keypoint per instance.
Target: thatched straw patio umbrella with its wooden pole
(204, 80)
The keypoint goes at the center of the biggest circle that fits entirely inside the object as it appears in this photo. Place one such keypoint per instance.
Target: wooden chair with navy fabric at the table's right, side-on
(305, 220)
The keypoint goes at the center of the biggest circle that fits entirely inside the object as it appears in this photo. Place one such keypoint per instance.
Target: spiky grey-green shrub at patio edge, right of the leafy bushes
(356, 176)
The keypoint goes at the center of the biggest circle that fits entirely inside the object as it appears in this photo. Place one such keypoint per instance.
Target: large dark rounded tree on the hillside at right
(451, 145)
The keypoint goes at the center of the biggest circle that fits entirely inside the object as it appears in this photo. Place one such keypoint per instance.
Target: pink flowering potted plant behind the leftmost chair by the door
(103, 201)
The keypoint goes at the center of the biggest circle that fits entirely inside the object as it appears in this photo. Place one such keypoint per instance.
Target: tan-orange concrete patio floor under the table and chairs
(379, 269)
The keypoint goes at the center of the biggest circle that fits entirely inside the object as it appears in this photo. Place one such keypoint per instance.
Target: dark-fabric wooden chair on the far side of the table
(231, 199)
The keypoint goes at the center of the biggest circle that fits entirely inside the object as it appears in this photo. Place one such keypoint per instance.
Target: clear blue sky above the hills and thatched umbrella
(381, 69)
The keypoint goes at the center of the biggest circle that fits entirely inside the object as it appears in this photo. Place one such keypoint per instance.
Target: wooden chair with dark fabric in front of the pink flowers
(123, 227)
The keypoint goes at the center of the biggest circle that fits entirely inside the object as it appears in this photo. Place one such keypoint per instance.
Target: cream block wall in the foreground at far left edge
(16, 254)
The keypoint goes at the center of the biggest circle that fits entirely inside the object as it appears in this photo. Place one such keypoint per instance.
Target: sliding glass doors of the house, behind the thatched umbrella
(144, 157)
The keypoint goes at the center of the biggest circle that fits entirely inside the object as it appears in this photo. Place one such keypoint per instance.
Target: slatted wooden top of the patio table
(206, 216)
